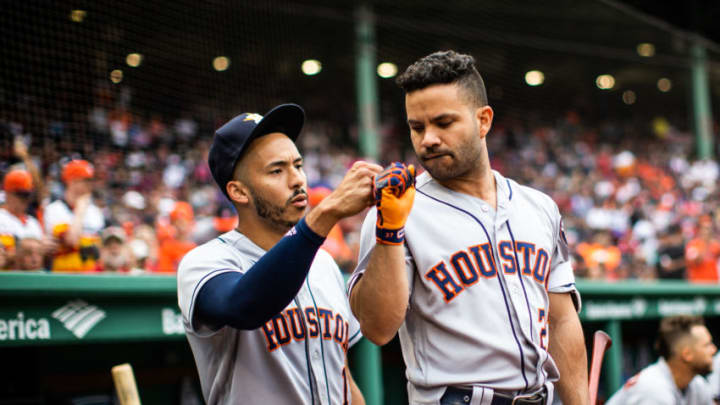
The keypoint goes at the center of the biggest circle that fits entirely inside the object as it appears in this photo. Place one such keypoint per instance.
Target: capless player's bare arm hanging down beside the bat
(567, 348)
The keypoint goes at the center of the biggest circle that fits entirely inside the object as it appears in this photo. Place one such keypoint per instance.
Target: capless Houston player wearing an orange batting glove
(471, 268)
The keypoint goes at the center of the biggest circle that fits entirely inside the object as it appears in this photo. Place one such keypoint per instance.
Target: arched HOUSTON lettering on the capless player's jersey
(466, 267)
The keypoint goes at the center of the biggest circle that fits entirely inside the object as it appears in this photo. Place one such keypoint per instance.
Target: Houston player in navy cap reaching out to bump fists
(264, 310)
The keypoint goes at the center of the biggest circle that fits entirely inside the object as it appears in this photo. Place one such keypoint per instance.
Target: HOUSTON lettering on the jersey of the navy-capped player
(288, 325)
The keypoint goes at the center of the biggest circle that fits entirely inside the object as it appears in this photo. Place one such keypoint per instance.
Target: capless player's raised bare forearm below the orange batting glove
(379, 299)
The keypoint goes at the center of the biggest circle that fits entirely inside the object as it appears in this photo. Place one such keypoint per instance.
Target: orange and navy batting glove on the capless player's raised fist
(394, 191)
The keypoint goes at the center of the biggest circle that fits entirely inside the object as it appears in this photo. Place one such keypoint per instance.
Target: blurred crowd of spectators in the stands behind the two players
(119, 192)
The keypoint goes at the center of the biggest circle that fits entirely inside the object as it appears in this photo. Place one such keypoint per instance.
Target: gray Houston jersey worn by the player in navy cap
(276, 363)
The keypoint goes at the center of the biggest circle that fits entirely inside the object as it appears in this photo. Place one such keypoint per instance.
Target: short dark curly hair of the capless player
(445, 67)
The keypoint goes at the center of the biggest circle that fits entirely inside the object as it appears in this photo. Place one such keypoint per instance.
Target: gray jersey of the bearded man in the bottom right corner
(654, 385)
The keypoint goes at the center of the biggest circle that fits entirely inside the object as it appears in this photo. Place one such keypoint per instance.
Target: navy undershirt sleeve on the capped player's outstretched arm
(247, 301)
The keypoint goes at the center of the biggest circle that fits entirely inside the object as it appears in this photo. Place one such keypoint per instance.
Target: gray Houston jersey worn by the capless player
(479, 281)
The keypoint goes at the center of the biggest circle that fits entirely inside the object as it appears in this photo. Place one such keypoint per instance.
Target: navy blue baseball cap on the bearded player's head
(232, 138)
